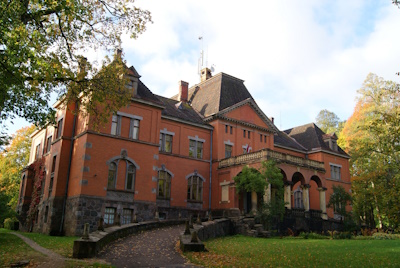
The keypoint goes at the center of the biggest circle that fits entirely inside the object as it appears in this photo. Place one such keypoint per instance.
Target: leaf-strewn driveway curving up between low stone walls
(153, 248)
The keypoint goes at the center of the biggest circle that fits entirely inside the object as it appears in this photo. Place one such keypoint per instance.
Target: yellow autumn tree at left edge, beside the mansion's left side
(12, 160)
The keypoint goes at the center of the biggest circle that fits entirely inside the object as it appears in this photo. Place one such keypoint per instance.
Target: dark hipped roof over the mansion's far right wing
(311, 137)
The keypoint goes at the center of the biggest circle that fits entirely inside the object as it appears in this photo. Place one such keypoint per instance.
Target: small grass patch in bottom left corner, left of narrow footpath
(13, 249)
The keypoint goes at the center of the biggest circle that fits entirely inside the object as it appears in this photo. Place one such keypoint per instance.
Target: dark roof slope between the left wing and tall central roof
(181, 110)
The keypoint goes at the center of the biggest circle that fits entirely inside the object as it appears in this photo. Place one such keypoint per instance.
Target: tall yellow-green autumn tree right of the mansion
(372, 138)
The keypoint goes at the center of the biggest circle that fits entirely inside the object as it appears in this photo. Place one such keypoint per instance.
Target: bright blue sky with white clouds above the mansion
(296, 57)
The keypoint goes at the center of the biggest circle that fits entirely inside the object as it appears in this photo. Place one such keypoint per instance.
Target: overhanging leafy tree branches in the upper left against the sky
(40, 47)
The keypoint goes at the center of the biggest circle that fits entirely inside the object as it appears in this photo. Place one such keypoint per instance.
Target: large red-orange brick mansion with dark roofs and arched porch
(171, 157)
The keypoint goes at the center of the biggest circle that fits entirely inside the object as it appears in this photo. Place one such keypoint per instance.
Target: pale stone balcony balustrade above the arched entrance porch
(267, 154)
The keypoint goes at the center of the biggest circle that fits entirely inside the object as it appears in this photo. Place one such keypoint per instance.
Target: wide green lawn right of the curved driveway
(240, 251)
